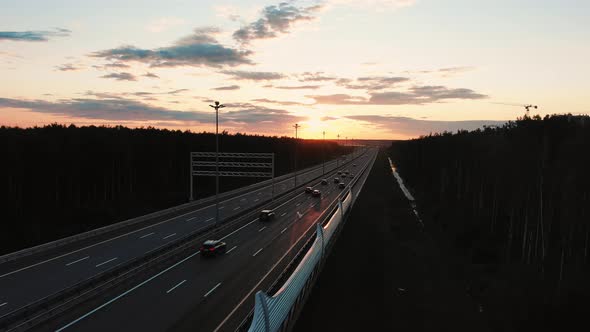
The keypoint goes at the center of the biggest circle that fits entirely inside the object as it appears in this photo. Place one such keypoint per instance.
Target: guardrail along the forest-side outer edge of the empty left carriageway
(99, 231)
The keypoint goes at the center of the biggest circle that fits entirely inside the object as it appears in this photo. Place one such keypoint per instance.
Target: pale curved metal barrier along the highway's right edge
(274, 313)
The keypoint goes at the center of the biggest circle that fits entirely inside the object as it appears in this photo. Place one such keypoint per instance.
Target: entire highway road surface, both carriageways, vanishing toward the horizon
(194, 293)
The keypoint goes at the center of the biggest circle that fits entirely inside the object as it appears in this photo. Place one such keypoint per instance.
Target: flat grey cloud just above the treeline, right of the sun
(408, 127)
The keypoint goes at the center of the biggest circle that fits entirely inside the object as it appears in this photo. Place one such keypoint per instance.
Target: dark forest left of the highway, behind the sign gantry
(59, 180)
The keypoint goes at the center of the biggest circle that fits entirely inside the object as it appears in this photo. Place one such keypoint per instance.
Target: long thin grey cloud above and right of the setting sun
(417, 95)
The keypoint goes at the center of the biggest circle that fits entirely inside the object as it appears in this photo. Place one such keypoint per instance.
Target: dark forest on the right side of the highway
(513, 201)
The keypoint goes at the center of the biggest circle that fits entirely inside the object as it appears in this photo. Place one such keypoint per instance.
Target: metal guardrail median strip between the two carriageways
(56, 303)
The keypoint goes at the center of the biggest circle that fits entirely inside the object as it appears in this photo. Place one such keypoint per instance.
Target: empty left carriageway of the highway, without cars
(32, 278)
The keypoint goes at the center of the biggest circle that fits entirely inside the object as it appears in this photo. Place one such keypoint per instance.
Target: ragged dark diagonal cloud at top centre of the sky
(275, 19)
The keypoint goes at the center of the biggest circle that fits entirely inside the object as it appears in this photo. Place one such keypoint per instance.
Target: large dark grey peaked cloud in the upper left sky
(197, 49)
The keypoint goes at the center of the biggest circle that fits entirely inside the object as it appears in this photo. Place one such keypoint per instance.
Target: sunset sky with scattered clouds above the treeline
(380, 69)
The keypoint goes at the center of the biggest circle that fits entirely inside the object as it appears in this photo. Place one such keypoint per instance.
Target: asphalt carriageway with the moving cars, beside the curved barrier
(199, 294)
